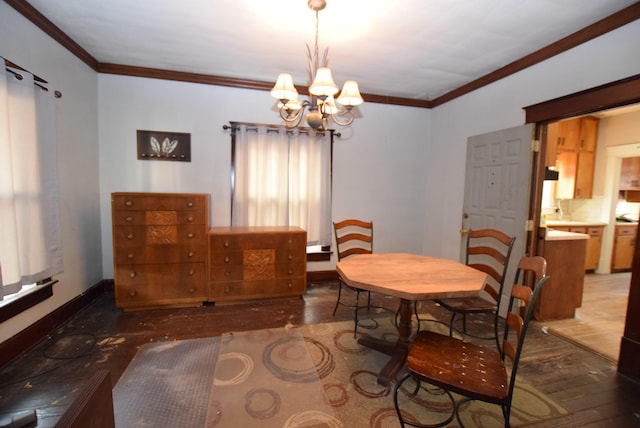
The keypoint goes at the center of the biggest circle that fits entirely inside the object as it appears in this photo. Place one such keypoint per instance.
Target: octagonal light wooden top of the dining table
(411, 276)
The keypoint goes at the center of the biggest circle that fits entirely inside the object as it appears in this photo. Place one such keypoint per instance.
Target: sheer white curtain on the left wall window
(30, 244)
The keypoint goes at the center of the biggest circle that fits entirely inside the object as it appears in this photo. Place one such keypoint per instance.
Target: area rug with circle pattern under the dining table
(309, 376)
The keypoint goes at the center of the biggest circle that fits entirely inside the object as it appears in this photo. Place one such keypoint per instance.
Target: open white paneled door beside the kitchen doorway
(496, 193)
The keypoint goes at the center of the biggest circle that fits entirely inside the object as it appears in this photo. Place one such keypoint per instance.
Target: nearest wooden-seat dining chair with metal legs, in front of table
(452, 365)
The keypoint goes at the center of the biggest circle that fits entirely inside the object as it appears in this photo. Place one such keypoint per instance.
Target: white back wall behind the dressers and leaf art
(378, 170)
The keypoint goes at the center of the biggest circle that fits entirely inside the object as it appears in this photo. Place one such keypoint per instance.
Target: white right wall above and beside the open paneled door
(610, 57)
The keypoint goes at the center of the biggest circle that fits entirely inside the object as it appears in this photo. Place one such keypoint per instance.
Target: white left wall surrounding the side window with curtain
(77, 132)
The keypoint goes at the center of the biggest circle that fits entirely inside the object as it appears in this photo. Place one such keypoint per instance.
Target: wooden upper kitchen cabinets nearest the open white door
(576, 141)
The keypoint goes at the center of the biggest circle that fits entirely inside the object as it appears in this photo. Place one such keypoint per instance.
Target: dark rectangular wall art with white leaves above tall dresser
(167, 146)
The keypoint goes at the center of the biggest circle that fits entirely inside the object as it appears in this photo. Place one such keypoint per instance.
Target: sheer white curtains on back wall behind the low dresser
(282, 177)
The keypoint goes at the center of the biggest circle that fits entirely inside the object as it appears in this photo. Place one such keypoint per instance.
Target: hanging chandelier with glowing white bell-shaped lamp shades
(321, 105)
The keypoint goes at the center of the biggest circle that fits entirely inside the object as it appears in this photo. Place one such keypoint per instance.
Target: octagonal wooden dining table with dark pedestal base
(410, 277)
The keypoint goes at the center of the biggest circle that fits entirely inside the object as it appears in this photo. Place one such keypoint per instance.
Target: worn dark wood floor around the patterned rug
(102, 337)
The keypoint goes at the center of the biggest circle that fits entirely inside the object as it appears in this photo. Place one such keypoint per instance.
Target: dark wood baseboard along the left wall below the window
(15, 346)
